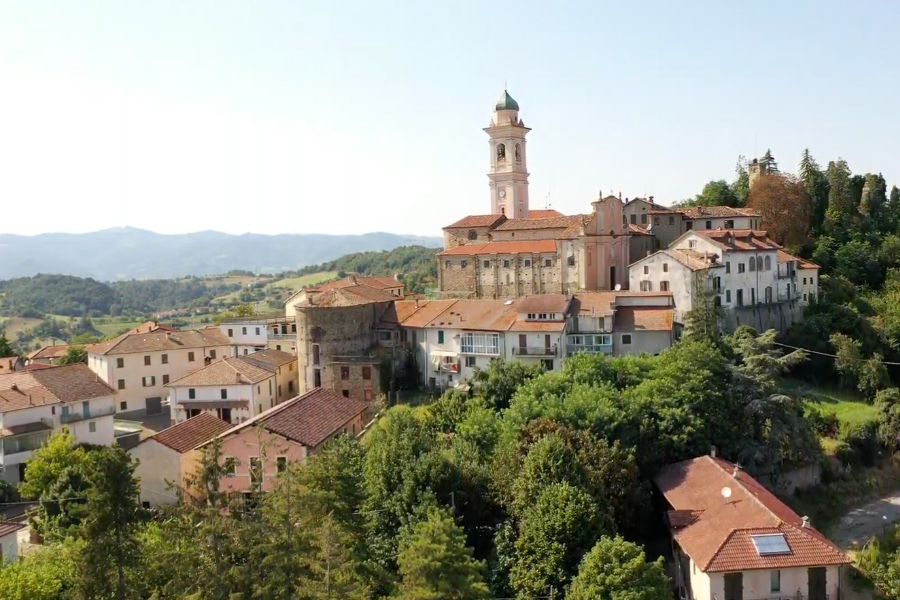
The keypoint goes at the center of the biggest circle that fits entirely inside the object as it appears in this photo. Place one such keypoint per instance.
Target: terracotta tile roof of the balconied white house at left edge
(71, 383)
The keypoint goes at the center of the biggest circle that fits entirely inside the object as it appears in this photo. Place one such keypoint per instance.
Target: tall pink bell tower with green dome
(508, 175)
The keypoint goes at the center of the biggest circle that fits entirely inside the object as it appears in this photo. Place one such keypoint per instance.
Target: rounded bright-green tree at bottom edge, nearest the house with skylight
(615, 569)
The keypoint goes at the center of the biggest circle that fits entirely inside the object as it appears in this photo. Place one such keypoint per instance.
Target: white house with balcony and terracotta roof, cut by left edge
(35, 404)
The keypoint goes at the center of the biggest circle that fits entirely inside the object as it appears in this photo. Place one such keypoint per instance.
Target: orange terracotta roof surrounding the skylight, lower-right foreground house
(718, 537)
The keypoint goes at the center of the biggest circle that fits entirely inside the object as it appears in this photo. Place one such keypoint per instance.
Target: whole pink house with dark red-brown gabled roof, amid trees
(255, 451)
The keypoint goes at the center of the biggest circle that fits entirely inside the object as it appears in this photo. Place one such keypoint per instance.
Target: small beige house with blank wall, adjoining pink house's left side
(168, 458)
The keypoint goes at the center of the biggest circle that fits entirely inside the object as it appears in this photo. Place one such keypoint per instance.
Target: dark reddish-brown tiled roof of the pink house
(309, 419)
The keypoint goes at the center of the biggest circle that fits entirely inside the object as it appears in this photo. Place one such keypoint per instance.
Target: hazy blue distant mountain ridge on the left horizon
(130, 253)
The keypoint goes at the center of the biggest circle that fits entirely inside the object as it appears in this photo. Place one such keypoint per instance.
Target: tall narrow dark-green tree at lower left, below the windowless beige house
(110, 526)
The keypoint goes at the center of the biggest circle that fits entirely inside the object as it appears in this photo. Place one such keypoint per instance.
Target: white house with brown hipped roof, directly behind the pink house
(231, 389)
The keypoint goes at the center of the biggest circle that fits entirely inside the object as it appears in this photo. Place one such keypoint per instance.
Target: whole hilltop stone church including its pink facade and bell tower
(514, 251)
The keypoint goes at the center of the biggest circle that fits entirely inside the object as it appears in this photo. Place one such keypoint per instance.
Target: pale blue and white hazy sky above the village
(309, 116)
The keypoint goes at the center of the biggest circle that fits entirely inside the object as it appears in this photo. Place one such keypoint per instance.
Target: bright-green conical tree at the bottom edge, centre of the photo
(435, 563)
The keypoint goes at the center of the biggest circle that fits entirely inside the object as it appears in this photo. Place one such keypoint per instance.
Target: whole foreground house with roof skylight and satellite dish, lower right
(734, 540)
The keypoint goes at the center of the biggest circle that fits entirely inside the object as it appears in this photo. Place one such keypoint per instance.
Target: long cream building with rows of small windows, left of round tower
(139, 365)
